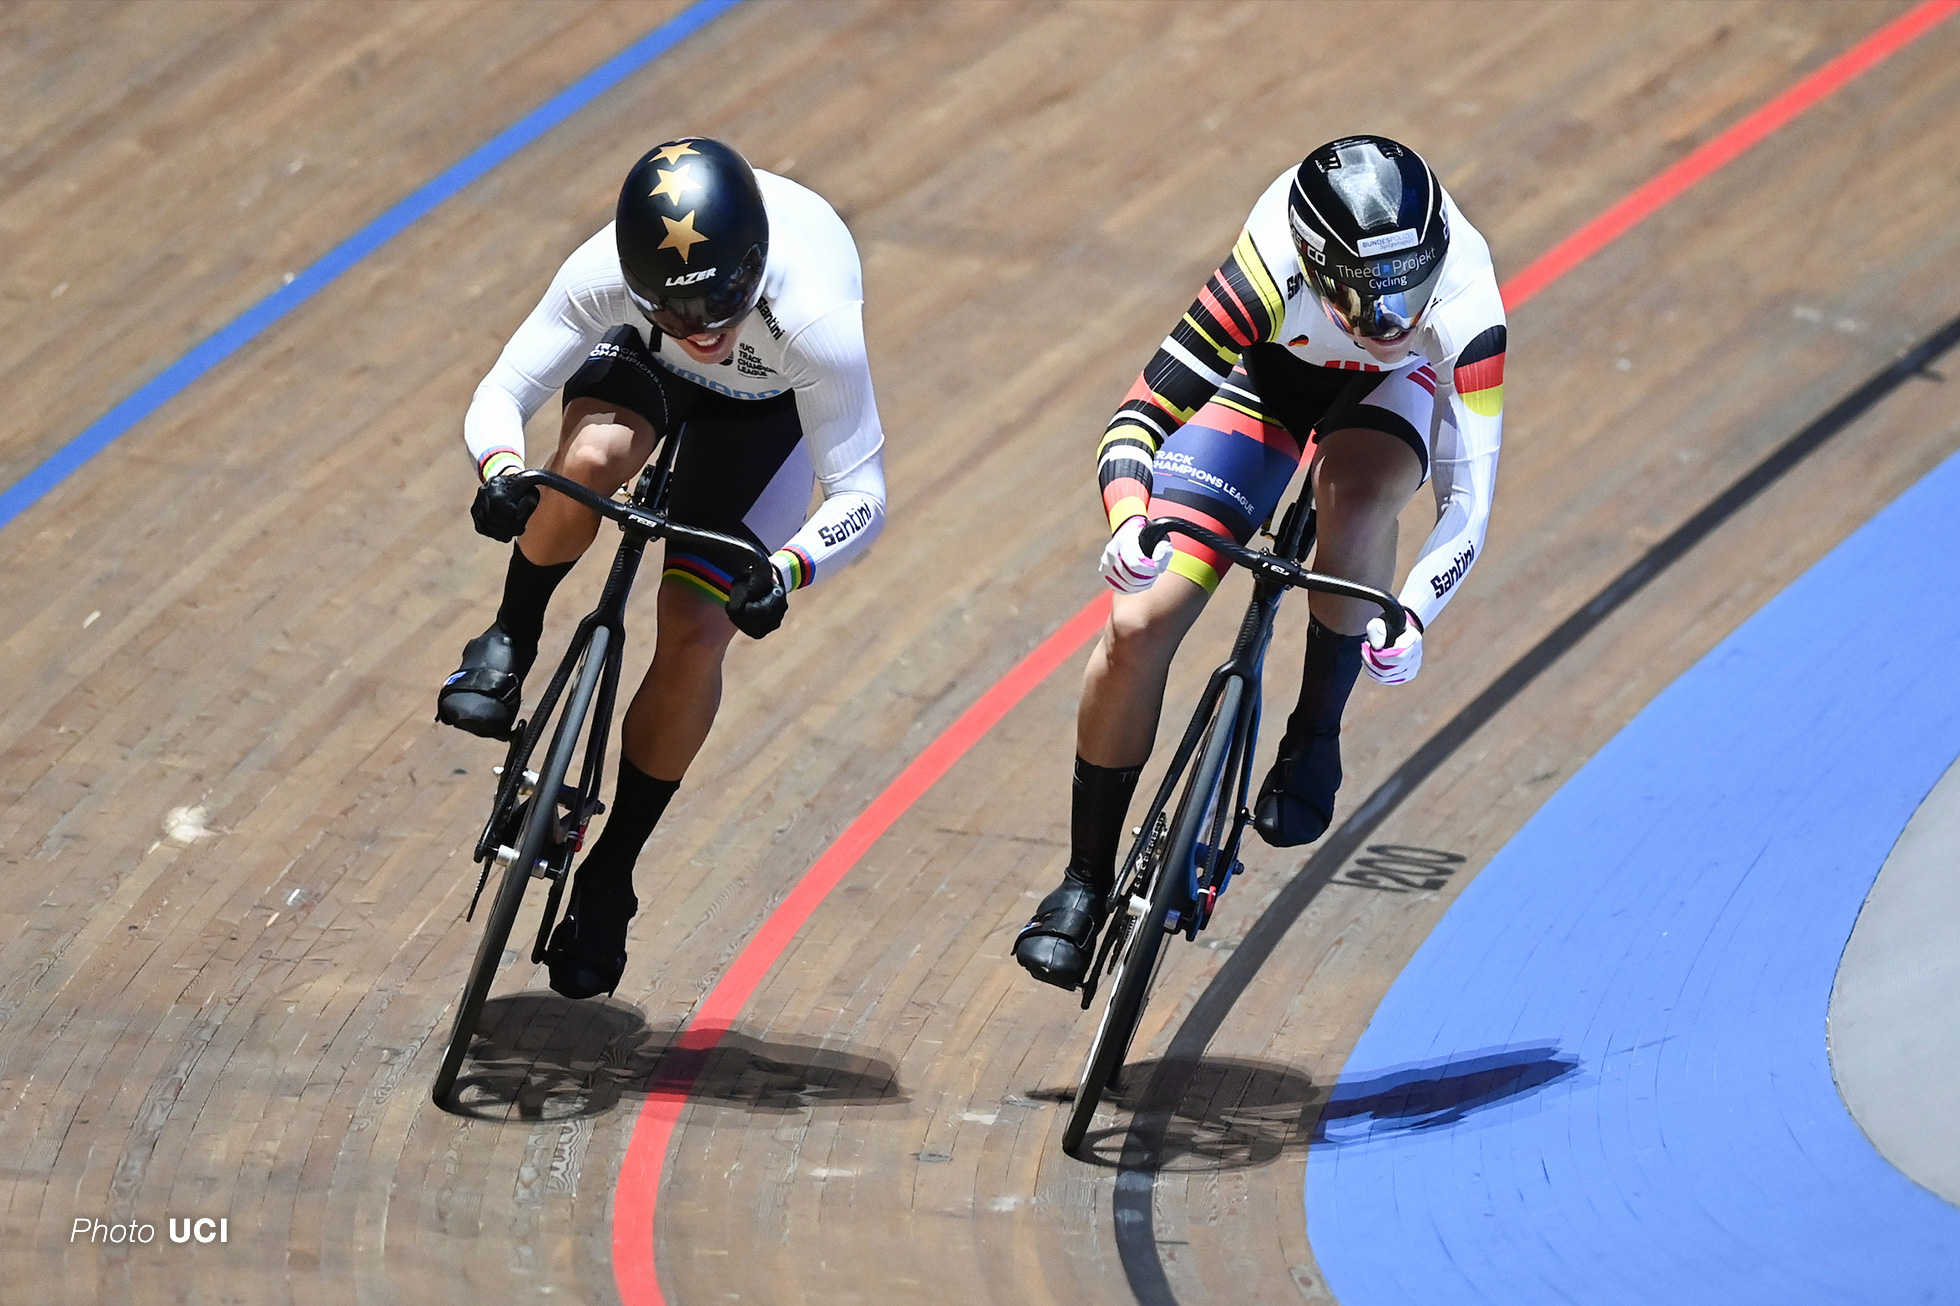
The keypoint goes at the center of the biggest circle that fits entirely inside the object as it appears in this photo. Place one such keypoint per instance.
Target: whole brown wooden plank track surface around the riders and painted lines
(236, 846)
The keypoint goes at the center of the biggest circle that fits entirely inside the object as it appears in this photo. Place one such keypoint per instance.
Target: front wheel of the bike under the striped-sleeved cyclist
(1138, 966)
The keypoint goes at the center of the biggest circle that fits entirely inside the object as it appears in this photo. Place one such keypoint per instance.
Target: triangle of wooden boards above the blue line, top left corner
(168, 166)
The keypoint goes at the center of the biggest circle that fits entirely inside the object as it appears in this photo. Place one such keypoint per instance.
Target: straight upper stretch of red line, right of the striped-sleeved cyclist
(1724, 148)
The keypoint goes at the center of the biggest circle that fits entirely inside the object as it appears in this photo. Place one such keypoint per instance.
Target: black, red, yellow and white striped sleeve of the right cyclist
(1238, 307)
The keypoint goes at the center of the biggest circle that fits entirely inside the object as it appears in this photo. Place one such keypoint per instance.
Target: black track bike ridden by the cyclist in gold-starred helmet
(538, 823)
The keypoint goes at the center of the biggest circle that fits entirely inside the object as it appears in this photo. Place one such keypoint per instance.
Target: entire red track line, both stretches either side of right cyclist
(646, 1156)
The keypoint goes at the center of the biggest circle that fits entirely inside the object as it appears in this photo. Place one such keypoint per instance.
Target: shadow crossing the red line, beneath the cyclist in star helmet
(548, 1058)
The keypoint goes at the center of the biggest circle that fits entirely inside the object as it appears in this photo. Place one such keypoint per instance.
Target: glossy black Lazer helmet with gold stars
(693, 236)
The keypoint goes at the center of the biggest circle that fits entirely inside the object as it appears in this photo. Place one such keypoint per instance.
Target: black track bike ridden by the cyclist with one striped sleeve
(1185, 856)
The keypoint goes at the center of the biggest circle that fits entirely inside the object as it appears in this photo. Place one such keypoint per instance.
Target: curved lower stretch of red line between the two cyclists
(640, 1172)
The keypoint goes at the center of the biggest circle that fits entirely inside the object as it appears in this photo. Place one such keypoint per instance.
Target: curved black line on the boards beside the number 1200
(1144, 1144)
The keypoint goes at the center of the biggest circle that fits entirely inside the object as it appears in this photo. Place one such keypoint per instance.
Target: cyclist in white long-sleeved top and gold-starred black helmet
(728, 305)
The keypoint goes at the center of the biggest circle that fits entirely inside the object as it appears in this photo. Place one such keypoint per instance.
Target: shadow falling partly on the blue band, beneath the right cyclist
(1236, 1115)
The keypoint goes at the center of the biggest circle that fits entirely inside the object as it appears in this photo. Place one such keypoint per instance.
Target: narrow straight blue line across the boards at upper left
(242, 330)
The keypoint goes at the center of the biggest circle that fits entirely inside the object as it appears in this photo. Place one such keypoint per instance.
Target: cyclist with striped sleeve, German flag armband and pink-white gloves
(1357, 323)
